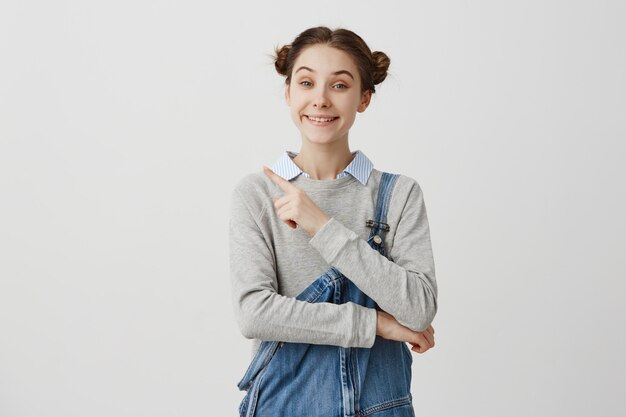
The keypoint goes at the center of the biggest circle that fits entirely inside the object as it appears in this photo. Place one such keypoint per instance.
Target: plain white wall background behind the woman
(124, 125)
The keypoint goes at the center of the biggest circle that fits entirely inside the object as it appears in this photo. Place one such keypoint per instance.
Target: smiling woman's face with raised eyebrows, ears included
(325, 82)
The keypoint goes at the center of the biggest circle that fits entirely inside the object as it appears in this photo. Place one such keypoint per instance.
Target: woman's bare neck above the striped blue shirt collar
(323, 162)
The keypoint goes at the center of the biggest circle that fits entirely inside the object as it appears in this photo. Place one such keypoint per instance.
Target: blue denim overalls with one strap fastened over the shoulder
(310, 380)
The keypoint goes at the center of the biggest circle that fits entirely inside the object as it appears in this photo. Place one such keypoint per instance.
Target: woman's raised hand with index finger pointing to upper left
(296, 208)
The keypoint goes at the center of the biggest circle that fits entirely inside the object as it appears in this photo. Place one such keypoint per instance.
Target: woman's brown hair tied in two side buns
(372, 65)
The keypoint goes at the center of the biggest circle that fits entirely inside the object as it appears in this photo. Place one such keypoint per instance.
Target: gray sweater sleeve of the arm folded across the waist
(262, 313)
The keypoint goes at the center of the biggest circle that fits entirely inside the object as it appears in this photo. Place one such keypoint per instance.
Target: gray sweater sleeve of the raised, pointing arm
(405, 286)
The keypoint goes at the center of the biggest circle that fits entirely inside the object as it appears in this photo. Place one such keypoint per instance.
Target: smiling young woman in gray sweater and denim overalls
(332, 270)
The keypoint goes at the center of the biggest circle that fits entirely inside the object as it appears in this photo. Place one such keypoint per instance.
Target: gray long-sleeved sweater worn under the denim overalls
(271, 263)
